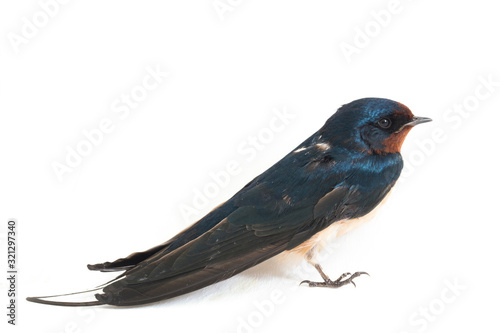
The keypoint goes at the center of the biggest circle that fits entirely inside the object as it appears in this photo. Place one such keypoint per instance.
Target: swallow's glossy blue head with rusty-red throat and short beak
(374, 125)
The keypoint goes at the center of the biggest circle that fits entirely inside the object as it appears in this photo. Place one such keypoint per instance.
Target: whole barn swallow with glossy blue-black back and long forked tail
(325, 185)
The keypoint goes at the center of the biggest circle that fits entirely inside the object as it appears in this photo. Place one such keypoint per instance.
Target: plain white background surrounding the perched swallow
(226, 76)
